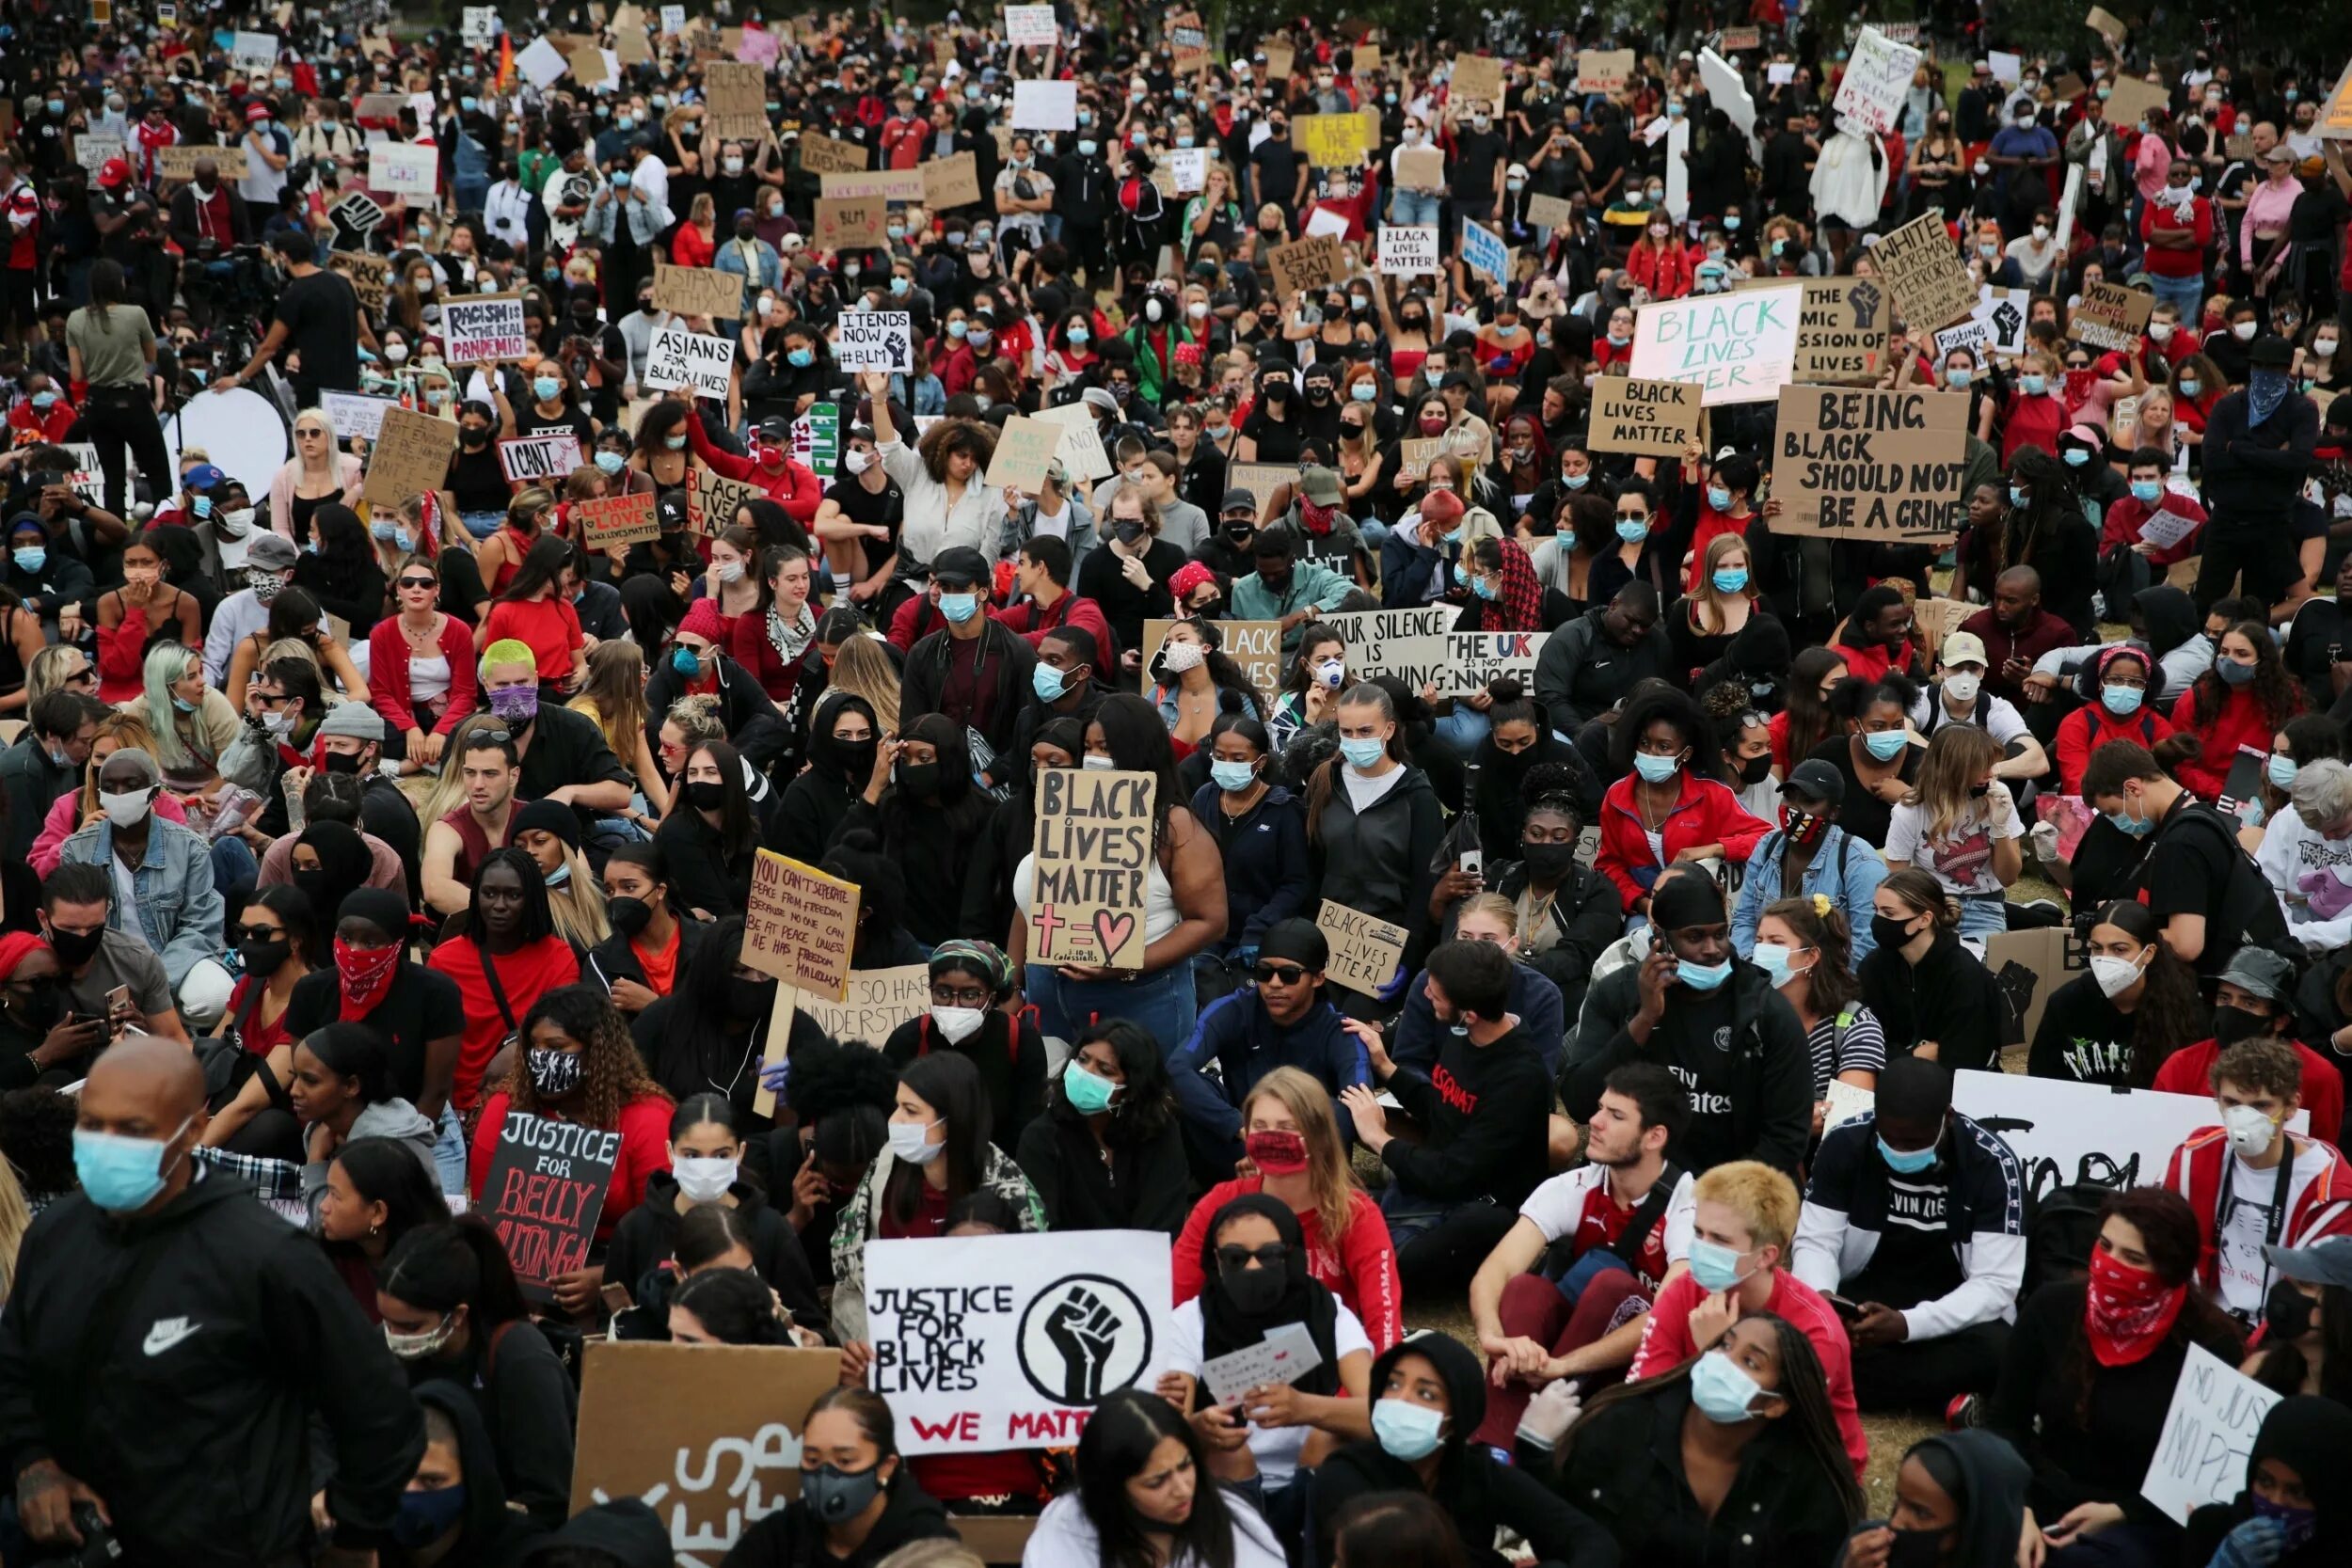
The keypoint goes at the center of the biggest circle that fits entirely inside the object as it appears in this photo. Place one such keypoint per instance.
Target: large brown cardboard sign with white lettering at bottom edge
(707, 1435)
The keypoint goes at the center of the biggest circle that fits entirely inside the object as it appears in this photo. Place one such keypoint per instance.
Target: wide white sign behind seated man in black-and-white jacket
(2066, 1132)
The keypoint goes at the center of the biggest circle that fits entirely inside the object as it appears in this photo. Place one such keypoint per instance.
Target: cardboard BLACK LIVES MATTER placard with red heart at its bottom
(1095, 852)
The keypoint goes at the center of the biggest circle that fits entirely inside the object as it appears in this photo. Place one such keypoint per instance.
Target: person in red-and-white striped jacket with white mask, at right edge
(2252, 1184)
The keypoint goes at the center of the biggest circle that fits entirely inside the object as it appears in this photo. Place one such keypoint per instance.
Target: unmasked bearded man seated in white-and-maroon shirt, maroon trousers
(1551, 1301)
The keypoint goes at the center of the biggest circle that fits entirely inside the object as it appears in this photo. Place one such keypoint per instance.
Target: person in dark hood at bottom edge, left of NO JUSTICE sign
(1960, 1489)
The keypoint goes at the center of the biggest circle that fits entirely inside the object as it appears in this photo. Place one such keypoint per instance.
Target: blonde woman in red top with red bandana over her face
(1297, 1155)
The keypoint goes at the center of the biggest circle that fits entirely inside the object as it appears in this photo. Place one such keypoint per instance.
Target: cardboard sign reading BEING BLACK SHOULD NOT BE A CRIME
(1866, 464)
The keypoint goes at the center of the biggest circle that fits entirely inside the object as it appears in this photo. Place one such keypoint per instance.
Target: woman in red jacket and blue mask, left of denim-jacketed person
(1671, 803)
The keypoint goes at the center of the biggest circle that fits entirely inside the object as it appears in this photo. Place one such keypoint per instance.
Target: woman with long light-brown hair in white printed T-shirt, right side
(1963, 826)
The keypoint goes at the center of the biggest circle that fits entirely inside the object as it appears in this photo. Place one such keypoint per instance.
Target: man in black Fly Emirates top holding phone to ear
(1711, 1019)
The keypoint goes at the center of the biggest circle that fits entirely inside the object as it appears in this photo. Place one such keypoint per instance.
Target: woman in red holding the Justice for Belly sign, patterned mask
(580, 1066)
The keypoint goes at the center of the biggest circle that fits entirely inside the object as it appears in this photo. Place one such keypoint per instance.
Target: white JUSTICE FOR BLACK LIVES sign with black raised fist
(989, 1343)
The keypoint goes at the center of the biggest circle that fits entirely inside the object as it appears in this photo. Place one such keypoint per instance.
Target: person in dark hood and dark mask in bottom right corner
(2290, 1515)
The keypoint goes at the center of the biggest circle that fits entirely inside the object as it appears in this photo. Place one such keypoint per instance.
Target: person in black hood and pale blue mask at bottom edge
(1434, 1374)
